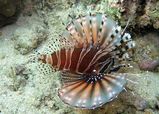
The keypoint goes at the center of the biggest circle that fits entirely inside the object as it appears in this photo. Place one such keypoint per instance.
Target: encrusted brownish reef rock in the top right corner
(143, 13)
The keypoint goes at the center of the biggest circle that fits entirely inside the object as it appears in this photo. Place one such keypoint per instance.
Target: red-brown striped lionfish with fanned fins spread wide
(85, 54)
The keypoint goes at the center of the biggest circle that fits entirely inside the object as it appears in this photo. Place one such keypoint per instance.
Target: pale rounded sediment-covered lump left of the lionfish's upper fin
(25, 40)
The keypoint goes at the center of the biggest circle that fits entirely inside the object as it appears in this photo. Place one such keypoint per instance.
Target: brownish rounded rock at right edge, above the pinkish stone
(147, 48)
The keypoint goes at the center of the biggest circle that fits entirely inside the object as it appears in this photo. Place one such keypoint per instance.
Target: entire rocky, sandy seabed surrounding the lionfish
(28, 25)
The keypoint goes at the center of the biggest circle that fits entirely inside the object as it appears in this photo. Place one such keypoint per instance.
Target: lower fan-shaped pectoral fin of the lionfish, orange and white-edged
(92, 94)
